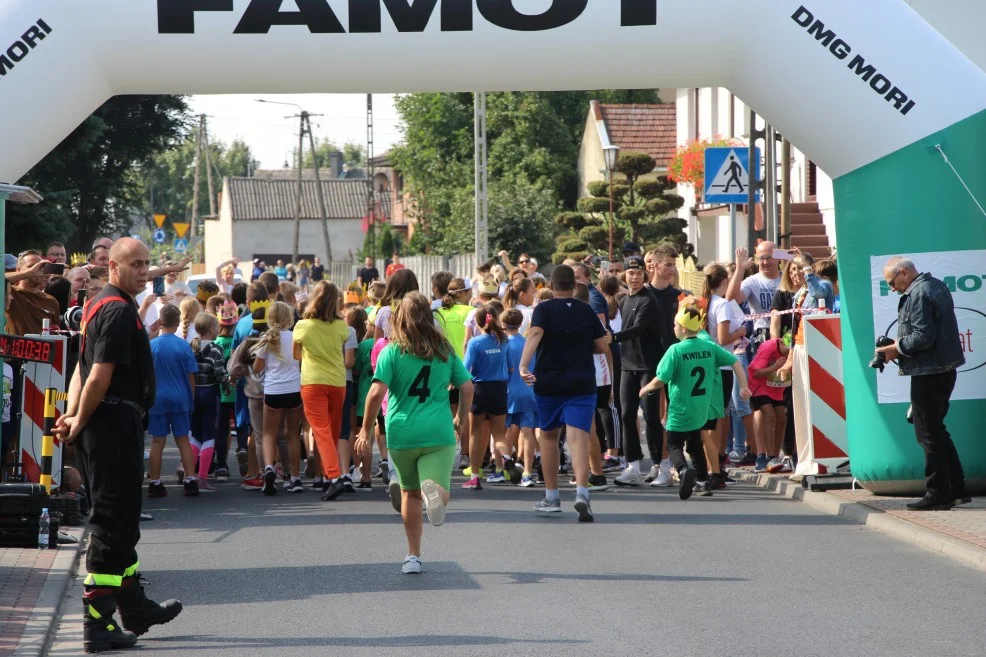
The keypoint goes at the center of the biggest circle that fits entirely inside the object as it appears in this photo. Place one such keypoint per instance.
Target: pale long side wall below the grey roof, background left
(277, 236)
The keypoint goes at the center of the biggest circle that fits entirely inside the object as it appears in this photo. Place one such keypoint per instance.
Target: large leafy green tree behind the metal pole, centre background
(533, 137)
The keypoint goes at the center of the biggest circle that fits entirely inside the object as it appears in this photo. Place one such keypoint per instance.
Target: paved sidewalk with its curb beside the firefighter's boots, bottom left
(32, 586)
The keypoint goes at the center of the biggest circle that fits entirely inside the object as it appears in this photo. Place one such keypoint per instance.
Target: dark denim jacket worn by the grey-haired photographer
(927, 332)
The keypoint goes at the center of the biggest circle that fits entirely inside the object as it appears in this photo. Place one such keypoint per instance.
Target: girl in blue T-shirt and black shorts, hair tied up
(486, 360)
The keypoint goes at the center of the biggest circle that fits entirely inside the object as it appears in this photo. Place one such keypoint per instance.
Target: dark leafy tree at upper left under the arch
(90, 180)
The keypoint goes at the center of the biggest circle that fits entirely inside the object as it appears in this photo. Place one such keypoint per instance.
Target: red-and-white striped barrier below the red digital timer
(38, 377)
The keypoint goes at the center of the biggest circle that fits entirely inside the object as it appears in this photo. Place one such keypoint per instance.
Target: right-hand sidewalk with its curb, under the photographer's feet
(959, 533)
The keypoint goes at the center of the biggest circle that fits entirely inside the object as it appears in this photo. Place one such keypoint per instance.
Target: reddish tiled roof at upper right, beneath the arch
(651, 129)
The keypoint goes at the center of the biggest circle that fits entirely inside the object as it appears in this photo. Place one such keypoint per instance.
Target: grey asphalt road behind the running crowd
(744, 572)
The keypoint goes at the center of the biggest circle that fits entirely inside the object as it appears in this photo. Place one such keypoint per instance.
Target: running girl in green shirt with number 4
(415, 369)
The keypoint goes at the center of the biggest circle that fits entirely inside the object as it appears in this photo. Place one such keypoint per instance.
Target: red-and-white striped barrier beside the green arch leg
(828, 442)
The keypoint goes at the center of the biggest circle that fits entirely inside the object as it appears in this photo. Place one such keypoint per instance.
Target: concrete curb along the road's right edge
(861, 514)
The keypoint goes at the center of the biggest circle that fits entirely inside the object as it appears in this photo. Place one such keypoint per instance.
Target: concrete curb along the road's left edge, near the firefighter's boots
(40, 630)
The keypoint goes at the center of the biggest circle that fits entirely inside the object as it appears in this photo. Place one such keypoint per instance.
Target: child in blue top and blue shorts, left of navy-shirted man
(522, 417)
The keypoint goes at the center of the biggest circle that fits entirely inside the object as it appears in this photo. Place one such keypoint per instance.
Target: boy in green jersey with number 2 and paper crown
(688, 369)
